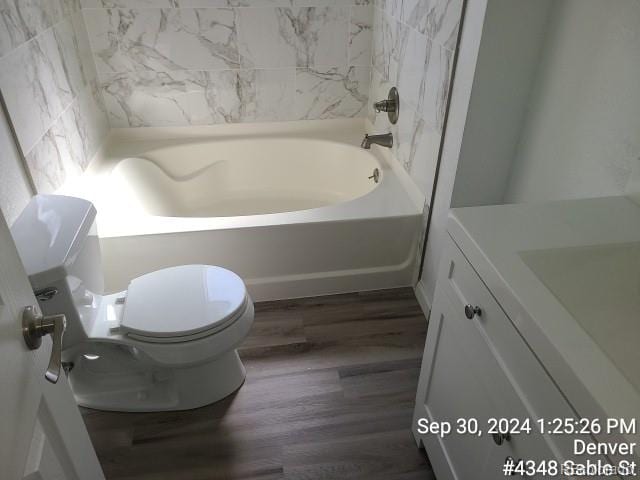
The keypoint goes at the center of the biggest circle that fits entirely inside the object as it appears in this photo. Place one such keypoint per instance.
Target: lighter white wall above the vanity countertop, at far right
(581, 137)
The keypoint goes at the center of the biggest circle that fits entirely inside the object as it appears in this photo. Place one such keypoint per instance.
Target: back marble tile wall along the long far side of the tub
(199, 62)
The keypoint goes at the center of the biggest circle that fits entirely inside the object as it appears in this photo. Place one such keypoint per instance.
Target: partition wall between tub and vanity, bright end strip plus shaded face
(498, 56)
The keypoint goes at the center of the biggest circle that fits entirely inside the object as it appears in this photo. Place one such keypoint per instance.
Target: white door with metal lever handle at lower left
(42, 435)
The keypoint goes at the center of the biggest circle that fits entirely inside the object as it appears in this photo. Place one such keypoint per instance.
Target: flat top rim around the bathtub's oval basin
(396, 196)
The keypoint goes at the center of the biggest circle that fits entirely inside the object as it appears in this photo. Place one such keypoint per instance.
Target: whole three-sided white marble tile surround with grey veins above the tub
(184, 62)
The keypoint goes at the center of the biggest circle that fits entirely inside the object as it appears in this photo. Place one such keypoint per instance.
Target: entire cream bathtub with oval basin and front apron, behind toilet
(293, 208)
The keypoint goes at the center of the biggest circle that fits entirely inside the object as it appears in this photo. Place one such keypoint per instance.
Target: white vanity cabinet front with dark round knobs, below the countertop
(477, 366)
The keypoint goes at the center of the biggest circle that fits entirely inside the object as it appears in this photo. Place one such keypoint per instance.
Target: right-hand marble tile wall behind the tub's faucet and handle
(413, 49)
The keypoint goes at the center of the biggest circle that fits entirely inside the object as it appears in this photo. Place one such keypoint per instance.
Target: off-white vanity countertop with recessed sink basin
(567, 273)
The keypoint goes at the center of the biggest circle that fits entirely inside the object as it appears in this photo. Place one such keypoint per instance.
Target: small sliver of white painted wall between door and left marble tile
(15, 190)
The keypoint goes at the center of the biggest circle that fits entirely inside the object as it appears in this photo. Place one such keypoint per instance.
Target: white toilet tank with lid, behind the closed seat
(57, 240)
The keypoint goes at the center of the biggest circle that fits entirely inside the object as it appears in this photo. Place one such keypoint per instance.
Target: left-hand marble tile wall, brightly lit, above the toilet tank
(49, 83)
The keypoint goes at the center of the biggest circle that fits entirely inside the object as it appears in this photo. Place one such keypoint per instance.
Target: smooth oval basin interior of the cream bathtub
(243, 177)
